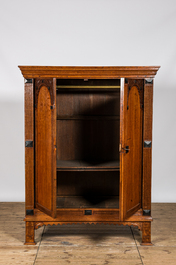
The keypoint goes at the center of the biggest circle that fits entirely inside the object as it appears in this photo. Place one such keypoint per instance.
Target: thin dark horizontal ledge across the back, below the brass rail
(89, 117)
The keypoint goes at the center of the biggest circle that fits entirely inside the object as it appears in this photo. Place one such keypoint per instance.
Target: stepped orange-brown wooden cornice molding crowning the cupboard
(89, 72)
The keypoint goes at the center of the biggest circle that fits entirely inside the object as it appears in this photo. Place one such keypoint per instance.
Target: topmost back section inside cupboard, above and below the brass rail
(87, 102)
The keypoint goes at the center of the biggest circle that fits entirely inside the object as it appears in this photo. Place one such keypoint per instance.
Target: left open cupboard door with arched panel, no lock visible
(45, 145)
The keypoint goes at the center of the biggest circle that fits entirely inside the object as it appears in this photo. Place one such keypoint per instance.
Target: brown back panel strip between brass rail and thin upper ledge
(75, 103)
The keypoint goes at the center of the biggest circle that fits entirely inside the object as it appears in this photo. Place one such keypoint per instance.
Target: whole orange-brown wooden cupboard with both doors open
(88, 146)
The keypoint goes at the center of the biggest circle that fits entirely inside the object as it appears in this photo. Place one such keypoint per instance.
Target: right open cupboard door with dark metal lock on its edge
(131, 118)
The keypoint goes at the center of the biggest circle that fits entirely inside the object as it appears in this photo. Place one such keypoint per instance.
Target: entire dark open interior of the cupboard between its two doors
(88, 128)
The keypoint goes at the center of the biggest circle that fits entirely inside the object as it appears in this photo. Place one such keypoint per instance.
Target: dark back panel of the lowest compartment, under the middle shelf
(84, 183)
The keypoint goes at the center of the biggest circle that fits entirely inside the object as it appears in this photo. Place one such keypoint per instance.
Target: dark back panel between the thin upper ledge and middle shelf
(88, 140)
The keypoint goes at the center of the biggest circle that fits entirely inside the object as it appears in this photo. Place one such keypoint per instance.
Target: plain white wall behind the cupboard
(92, 32)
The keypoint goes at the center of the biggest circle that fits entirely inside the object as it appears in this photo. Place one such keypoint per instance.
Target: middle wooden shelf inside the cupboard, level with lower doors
(80, 165)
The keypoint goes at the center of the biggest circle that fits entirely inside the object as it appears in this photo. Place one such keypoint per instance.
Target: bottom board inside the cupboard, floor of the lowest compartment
(88, 202)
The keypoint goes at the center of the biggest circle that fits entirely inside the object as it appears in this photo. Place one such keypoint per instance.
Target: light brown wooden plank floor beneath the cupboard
(87, 244)
